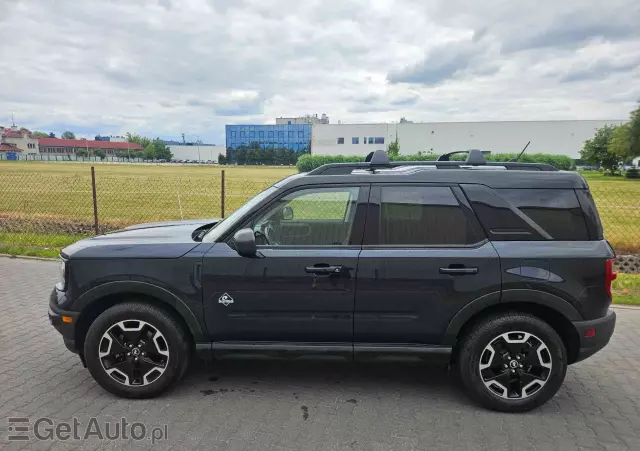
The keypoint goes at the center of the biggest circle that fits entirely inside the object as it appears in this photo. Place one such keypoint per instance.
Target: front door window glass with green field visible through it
(309, 217)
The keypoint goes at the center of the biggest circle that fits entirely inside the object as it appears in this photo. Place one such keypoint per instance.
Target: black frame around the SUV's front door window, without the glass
(357, 229)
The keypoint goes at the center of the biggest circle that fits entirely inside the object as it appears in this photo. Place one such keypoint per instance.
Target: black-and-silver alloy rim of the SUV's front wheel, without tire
(133, 352)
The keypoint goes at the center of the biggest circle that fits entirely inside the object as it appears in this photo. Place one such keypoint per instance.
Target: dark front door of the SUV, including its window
(301, 285)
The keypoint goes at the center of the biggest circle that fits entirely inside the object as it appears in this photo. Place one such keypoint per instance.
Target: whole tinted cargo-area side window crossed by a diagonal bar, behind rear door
(528, 214)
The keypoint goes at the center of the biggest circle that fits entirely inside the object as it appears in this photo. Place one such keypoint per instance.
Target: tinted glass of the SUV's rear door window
(427, 216)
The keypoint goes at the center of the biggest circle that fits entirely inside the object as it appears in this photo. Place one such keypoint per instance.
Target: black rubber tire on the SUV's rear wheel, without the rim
(484, 333)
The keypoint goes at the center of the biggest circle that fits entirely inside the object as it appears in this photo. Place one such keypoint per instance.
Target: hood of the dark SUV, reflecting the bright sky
(170, 239)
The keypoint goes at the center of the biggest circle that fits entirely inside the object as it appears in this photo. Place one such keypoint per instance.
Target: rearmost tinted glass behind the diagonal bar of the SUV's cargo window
(556, 211)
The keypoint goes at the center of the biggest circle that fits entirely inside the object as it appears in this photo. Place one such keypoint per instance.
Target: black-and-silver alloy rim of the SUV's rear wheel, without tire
(515, 365)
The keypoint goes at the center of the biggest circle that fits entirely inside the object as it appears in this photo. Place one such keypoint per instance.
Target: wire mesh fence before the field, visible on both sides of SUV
(56, 207)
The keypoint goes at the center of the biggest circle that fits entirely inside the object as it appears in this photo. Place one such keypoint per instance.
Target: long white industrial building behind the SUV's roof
(554, 137)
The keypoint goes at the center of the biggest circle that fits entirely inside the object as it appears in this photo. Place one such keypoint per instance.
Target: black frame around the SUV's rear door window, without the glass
(374, 217)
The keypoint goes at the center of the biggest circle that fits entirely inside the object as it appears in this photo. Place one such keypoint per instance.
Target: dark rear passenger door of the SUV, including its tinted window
(424, 257)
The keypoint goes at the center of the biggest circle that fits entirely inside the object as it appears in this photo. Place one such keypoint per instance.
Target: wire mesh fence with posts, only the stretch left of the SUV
(36, 205)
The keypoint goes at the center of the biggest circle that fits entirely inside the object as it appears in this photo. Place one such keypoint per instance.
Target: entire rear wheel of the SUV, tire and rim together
(512, 362)
